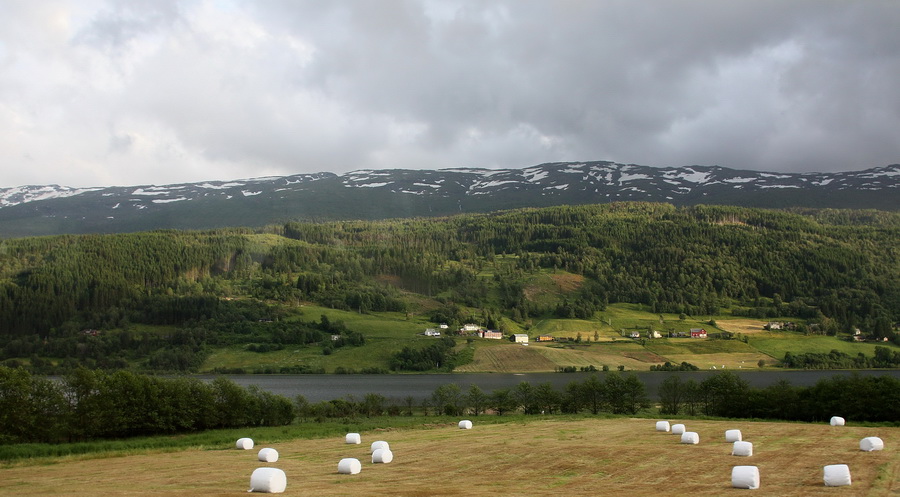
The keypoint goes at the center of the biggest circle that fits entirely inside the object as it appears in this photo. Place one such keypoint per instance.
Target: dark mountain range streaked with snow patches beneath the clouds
(393, 193)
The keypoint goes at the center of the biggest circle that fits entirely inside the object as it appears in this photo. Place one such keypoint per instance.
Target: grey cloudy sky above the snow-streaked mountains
(139, 92)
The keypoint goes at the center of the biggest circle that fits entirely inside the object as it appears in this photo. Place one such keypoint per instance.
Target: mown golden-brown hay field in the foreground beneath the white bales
(546, 457)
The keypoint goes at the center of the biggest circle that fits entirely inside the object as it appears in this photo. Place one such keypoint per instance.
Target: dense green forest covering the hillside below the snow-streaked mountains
(836, 270)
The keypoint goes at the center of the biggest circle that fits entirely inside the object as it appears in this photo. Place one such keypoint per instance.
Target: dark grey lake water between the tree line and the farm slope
(397, 387)
